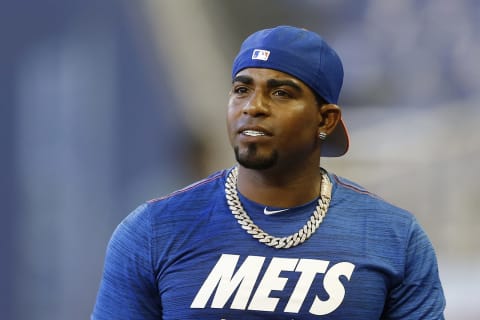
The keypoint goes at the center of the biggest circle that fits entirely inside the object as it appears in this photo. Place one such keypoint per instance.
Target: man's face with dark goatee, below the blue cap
(272, 118)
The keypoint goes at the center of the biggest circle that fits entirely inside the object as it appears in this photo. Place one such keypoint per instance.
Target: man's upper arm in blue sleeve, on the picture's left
(127, 289)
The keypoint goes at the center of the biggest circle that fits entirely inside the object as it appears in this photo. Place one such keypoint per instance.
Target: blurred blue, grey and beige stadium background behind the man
(105, 104)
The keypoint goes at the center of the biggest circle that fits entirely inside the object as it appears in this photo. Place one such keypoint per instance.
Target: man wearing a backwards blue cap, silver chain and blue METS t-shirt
(276, 236)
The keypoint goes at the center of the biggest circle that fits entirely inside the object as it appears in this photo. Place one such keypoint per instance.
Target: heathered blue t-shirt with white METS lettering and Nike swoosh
(184, 256)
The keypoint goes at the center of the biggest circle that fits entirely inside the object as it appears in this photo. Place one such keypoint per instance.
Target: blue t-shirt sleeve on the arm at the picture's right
(420, 294)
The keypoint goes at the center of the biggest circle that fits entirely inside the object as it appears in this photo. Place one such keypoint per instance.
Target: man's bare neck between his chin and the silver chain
(287, 188)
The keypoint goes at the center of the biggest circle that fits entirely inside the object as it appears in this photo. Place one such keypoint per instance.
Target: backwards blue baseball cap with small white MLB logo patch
(306, 56)
